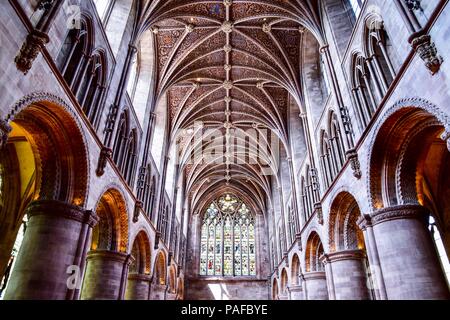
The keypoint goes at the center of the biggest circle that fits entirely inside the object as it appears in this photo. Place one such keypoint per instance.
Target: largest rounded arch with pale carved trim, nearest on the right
(390, 171)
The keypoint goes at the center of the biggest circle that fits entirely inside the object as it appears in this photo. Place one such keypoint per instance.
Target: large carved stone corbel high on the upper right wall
(424, 46)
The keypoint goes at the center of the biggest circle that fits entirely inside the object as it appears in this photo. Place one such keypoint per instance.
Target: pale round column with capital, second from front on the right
(349, 275)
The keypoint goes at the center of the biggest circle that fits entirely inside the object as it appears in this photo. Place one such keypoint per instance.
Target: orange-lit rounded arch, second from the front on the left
(112, 231)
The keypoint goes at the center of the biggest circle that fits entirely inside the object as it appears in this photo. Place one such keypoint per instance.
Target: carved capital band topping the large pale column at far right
(399, 212)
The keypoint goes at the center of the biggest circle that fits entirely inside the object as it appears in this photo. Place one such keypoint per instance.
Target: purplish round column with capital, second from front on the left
(106, 275)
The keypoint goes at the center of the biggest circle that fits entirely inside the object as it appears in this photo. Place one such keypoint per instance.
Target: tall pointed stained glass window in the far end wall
(228, 243)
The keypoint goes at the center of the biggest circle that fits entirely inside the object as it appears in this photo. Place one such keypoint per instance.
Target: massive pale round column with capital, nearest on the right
(408, 257)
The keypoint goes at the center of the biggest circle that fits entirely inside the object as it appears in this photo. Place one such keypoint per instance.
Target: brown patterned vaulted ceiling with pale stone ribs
(233, 65)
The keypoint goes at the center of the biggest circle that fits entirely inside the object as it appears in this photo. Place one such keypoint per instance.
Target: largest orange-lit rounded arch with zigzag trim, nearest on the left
(59, 146)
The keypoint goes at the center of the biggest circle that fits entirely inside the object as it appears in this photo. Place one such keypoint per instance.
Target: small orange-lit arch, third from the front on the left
(141, 252)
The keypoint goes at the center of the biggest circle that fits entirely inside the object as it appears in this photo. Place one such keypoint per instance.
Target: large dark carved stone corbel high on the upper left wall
(33, 45)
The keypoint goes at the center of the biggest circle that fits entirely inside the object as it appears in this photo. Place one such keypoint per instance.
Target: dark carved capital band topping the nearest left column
(62, 209)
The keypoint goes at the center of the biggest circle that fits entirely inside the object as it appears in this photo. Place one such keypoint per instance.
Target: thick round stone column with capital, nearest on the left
(51, 251)
